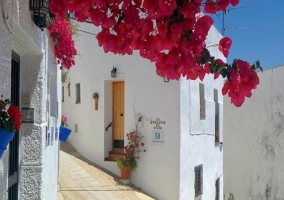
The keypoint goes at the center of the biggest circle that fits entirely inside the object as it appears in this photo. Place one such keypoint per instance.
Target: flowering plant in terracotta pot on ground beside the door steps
(131, 154)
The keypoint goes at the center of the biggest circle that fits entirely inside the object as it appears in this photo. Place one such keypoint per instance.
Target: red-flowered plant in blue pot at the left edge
(10, 122)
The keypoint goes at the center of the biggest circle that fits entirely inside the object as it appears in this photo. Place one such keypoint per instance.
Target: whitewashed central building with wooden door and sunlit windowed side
(185, 161)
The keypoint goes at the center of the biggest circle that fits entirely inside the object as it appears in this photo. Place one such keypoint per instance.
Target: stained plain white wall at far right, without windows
(254, 141)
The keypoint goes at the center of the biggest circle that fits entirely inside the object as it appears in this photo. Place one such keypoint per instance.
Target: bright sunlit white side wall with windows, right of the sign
(198, 136)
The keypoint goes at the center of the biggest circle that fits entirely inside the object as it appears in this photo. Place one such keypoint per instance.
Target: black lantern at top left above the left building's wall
(39, 8)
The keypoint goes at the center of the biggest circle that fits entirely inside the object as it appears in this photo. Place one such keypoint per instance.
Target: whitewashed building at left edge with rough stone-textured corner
(30, 78)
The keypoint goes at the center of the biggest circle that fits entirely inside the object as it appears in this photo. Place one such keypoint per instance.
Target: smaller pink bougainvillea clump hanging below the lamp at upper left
(64, 46)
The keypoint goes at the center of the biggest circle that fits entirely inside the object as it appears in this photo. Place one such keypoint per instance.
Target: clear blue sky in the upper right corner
(263, 37)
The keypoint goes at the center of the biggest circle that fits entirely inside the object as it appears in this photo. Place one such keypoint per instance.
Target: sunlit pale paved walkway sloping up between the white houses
(80, 179)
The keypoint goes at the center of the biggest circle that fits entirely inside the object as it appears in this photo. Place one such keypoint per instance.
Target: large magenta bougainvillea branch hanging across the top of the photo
(170, 33)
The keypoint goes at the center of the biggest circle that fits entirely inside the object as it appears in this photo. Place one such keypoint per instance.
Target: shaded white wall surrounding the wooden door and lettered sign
(153, 99)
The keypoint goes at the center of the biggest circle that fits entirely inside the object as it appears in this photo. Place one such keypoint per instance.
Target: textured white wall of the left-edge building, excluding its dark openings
(38, 165)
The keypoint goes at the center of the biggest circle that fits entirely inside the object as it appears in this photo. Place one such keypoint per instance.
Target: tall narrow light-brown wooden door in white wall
(118, 114)
